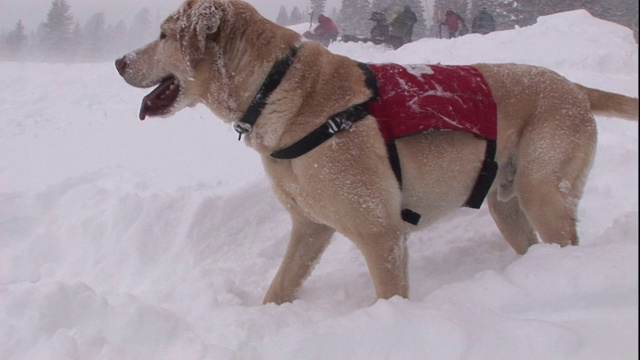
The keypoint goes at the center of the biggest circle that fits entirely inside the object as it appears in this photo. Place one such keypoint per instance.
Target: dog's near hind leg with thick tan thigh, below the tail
(552, 172)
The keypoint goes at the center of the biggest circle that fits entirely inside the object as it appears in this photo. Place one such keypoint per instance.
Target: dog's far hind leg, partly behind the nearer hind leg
(512, 222)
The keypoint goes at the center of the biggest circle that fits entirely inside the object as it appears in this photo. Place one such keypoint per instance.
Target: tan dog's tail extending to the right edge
(611, 104)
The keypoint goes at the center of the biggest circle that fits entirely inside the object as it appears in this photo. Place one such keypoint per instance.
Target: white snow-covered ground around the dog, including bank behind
(122, 239)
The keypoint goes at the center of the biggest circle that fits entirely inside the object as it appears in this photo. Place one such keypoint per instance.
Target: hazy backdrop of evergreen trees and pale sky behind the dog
(99, 30)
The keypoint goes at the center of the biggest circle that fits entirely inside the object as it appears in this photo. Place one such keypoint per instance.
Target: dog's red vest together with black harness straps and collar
(406, 100)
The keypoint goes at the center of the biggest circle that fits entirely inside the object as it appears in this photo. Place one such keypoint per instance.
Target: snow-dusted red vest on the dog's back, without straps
(419, 98)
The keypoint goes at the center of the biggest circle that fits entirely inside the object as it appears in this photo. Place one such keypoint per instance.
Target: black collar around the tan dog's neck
(245, 125)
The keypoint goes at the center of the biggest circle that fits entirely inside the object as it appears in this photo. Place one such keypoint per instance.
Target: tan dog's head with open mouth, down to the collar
(201, 56)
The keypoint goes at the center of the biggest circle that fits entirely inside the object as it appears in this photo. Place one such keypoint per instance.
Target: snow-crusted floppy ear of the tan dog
(197, 22)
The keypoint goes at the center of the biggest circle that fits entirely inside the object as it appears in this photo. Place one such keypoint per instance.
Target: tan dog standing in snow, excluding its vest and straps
(219, 53)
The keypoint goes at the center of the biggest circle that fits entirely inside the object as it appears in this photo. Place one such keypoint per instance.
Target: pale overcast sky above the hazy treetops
(33, 12)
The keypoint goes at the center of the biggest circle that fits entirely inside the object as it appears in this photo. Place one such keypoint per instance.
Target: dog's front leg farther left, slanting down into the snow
(308, 241)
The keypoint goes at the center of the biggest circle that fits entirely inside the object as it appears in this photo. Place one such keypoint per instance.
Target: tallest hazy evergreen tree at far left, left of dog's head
(57, 29)
